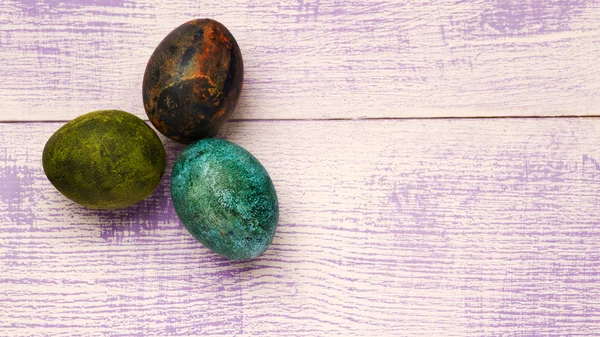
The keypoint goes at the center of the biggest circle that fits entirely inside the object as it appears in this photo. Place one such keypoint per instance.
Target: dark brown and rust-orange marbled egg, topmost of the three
(193, 80)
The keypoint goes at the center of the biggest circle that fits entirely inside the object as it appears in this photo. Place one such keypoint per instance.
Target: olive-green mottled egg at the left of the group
(105, 159)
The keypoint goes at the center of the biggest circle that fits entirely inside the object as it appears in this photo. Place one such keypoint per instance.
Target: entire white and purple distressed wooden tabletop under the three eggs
(396, 220)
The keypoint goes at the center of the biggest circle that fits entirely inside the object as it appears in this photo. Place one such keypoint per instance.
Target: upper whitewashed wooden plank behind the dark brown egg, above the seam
(312, 59)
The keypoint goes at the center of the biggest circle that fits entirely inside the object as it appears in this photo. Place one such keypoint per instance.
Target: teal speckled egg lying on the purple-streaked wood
(225, 198)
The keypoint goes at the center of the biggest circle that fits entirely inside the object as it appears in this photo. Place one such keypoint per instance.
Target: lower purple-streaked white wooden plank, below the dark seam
(387, 228)
